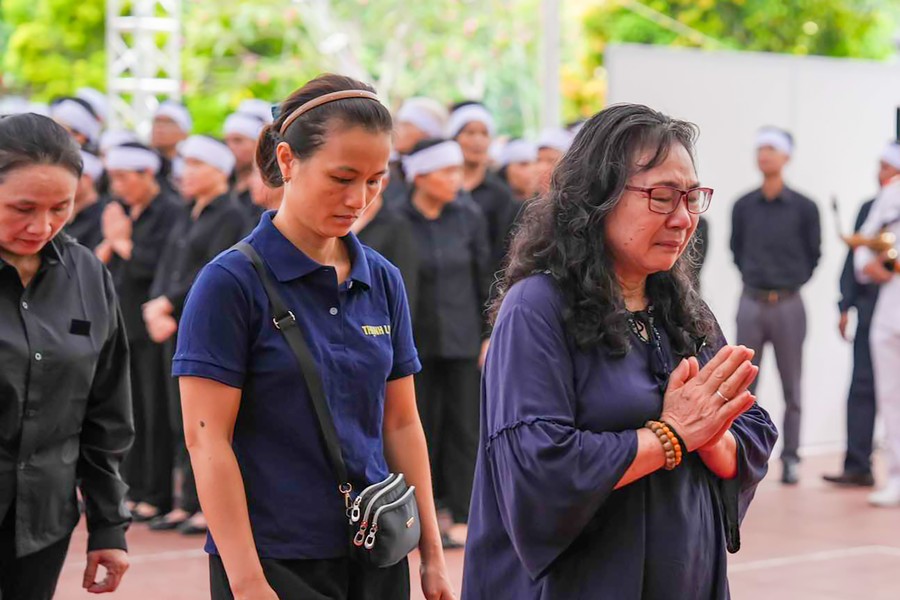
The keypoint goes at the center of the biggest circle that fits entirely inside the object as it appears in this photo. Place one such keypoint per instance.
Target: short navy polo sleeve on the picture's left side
(214, 332)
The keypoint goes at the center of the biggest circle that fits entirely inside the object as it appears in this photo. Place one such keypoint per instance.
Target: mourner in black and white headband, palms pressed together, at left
(135, 228)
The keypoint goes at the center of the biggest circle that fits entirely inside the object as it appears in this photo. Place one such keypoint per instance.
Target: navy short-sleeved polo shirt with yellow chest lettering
(360, 335)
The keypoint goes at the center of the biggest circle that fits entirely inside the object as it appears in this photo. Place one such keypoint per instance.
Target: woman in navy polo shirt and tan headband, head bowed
(263, 476)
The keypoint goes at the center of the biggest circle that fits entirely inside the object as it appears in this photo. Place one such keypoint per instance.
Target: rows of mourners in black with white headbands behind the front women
(155, 214)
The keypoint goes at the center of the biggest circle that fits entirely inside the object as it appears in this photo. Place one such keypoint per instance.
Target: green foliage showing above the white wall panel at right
(839, 28)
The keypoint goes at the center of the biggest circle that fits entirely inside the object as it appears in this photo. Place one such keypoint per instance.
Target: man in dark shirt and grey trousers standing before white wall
(776, 240)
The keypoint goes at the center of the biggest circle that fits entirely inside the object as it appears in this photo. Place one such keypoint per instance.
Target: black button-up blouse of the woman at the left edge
(65, 400)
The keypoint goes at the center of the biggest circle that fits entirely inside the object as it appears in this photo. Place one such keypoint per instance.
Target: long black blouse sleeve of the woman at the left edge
(107, 433)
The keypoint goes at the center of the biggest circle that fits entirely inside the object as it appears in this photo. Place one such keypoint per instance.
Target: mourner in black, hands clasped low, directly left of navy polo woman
(213, 222)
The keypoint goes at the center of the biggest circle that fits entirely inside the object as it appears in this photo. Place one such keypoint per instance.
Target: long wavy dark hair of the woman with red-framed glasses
(563, 234)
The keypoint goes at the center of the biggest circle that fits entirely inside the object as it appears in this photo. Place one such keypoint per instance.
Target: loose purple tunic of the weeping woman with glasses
(557, 433)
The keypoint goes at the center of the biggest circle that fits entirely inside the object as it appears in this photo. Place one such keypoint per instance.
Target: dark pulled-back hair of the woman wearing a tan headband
(307, 133)
